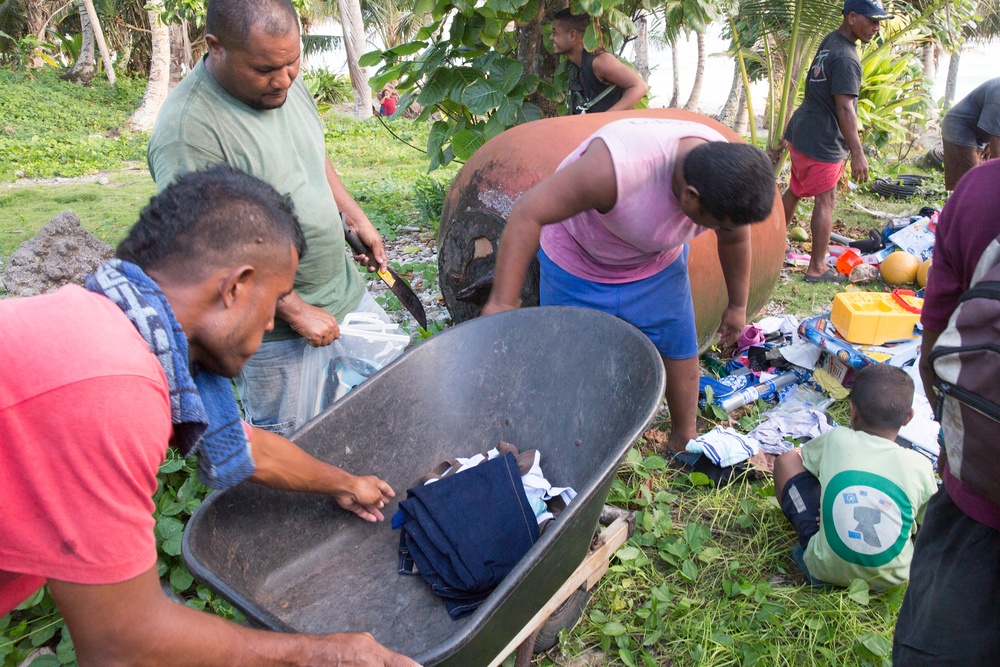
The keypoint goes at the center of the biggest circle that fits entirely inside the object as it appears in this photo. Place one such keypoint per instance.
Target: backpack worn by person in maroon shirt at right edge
(966, 363)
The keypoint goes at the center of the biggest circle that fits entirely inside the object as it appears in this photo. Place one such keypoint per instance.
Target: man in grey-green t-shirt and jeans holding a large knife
(244, 105)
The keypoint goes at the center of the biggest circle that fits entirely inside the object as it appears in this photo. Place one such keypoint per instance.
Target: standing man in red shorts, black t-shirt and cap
(825, 129)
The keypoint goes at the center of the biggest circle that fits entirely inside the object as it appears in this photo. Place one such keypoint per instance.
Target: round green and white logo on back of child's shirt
(866, 518)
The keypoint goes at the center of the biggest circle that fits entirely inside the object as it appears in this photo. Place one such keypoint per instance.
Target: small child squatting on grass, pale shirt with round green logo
(853, 495)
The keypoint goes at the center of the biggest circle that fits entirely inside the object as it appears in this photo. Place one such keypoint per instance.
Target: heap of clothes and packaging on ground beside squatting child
(802, 367)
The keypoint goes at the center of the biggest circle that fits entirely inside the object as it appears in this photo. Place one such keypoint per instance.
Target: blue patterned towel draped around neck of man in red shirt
(203, 409)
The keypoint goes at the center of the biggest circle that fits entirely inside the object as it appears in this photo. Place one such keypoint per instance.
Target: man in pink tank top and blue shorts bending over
(611, 228)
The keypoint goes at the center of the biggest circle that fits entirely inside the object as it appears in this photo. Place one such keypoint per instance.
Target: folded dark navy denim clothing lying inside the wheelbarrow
(466, 532)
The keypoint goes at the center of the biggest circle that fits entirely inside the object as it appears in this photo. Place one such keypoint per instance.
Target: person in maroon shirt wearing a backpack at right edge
(949, 615)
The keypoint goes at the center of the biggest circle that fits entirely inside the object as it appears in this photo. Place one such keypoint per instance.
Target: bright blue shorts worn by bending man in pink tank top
(660, 306)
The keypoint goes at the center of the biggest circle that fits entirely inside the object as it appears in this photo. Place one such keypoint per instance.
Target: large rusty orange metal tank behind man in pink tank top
(486, 187)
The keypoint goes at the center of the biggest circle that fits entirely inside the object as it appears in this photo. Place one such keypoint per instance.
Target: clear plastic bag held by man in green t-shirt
(366, 344)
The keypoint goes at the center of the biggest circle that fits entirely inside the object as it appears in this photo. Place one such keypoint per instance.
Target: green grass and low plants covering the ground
(705, 579)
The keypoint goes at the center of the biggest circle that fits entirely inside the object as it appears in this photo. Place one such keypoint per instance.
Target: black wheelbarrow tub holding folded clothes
(578, 385)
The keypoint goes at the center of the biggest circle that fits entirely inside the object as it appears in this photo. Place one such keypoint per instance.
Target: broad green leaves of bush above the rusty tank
(465, 67)
